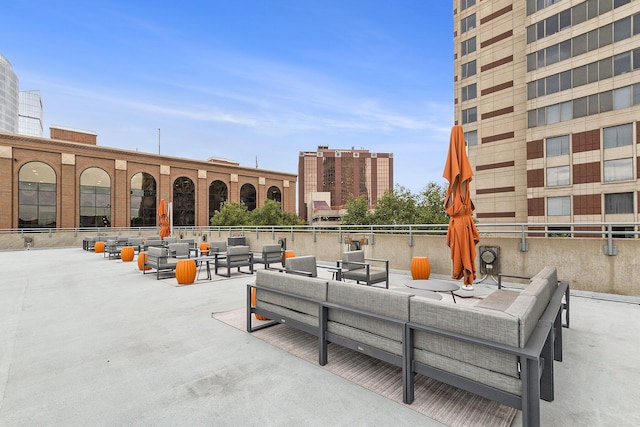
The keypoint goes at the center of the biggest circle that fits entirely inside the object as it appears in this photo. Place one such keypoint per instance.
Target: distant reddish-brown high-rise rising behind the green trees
(342, 173)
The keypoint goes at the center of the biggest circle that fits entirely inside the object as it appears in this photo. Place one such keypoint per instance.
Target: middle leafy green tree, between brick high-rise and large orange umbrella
(397, 206)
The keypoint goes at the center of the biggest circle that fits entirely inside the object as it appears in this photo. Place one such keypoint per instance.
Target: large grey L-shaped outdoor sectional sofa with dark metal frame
(502, 349)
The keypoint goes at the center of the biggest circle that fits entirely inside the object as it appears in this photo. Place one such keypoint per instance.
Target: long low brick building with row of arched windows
(69, 181)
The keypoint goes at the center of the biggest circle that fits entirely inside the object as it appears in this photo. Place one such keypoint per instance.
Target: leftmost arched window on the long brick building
(36, 196)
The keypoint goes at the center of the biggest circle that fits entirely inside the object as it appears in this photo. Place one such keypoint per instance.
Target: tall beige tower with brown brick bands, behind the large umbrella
(548, 93)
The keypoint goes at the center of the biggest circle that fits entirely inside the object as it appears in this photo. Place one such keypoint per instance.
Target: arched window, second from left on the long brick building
(95, 198)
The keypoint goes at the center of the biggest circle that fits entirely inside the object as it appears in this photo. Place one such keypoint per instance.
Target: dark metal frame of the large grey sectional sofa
(536, 358)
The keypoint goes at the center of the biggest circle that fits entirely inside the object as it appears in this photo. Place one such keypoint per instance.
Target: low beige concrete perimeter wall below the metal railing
(579, 260)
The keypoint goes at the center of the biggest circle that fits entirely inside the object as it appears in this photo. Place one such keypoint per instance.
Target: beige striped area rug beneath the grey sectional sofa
(441, 402)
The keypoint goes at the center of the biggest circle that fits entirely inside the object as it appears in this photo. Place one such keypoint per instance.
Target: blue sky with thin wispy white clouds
(240, 79)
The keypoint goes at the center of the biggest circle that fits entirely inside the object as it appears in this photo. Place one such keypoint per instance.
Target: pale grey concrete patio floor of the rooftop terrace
(89, 341)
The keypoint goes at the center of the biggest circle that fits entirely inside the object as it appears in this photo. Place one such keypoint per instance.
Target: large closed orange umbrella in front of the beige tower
(462, 235)
